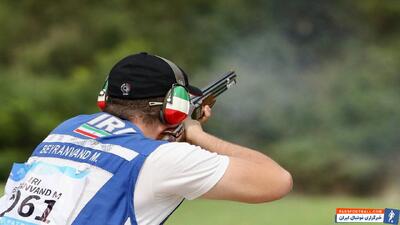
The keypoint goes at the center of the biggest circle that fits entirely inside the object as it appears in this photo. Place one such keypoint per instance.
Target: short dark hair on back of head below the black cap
(138, 109)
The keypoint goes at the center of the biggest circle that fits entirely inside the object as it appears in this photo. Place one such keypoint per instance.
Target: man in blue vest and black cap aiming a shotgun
(114, 168)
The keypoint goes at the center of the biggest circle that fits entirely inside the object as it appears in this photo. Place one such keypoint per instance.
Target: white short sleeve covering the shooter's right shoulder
(183, 169)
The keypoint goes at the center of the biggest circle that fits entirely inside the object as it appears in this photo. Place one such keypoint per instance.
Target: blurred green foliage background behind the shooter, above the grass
(319, 82)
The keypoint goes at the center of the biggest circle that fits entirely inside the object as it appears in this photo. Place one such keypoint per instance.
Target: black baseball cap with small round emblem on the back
(144, 76)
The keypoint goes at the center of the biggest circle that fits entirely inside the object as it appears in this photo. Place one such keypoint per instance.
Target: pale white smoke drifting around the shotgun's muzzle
(269, 86)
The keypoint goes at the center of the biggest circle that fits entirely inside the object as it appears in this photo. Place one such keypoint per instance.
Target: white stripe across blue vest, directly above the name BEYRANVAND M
(90, 143)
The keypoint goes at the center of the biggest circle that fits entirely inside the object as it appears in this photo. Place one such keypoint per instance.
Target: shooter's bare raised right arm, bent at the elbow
(251, 176)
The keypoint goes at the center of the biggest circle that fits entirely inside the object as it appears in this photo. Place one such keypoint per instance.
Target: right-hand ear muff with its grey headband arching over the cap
(176, 104)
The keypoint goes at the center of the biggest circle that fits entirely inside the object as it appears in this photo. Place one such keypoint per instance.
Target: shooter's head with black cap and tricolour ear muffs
(147, 87)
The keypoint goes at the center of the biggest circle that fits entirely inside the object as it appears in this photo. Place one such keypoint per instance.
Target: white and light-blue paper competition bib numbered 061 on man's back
(41, 194)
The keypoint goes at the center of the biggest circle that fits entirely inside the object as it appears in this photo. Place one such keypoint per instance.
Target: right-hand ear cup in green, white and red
(177, 108)
